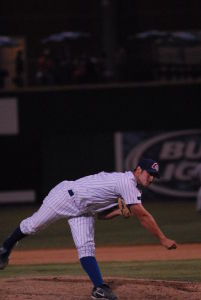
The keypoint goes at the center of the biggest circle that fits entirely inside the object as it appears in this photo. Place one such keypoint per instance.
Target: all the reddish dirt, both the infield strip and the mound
(69, 288)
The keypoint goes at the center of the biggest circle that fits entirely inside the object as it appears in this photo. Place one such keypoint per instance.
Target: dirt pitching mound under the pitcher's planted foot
(72, 288)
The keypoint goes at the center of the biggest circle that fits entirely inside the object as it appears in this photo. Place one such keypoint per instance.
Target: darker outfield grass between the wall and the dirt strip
(177, 219)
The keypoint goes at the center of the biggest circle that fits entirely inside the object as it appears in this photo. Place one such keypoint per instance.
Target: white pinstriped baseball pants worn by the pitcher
(82, 227)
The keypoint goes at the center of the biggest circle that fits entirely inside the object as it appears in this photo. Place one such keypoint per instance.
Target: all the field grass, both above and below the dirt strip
(177, 219)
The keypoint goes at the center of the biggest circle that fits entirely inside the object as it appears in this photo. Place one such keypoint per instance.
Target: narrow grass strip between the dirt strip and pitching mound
(188, 270)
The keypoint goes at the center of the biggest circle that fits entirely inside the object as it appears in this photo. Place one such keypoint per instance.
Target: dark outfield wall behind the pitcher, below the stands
(68, 133)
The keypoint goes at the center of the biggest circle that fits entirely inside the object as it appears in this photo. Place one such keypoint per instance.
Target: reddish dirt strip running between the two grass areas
(121, 253)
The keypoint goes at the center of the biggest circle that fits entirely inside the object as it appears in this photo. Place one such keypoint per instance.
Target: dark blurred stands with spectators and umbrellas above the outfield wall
(43, 43)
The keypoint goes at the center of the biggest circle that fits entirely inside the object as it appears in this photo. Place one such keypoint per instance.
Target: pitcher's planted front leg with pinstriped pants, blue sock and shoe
(82, 229)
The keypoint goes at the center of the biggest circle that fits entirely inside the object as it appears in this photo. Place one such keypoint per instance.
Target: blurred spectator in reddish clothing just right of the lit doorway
(45, 68)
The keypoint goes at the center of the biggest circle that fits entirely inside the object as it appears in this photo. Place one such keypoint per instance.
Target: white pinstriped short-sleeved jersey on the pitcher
(100, 191)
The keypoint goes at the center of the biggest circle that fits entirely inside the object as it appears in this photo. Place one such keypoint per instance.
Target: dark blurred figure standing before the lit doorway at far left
(19, 69)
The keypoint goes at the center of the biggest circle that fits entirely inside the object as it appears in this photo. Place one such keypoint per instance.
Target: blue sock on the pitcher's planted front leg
(91, 267)
